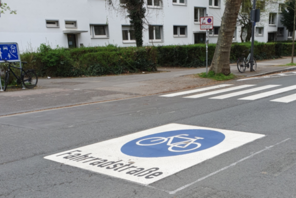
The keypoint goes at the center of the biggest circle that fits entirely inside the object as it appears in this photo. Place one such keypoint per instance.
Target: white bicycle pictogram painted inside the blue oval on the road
(183, 144)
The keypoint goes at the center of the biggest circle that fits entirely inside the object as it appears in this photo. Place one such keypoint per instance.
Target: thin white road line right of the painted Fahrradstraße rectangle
(225, 168)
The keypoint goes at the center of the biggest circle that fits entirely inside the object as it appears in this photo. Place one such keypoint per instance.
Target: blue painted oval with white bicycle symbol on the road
(173, 143)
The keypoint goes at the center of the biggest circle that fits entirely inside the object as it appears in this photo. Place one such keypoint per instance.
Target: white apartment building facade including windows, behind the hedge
(78, 23)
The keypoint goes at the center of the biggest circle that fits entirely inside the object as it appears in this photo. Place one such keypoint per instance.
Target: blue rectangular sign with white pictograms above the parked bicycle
(9, 52)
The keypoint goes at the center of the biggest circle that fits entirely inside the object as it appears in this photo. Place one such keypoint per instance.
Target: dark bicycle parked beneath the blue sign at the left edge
(27, 78)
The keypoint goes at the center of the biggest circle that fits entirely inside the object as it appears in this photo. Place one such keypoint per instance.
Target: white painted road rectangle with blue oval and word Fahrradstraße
(150, 155)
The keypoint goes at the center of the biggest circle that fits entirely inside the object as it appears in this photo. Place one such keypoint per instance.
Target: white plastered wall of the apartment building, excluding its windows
(28, 26)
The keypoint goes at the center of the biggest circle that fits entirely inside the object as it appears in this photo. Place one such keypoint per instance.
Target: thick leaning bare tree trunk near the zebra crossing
(220, 62)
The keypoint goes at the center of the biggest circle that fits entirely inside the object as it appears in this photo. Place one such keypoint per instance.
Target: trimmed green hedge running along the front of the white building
(93, 61)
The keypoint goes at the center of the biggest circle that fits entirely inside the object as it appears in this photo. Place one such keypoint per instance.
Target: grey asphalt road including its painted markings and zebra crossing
(235, 166)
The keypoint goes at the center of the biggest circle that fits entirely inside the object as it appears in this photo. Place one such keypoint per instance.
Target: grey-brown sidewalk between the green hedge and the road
(67, 92)
